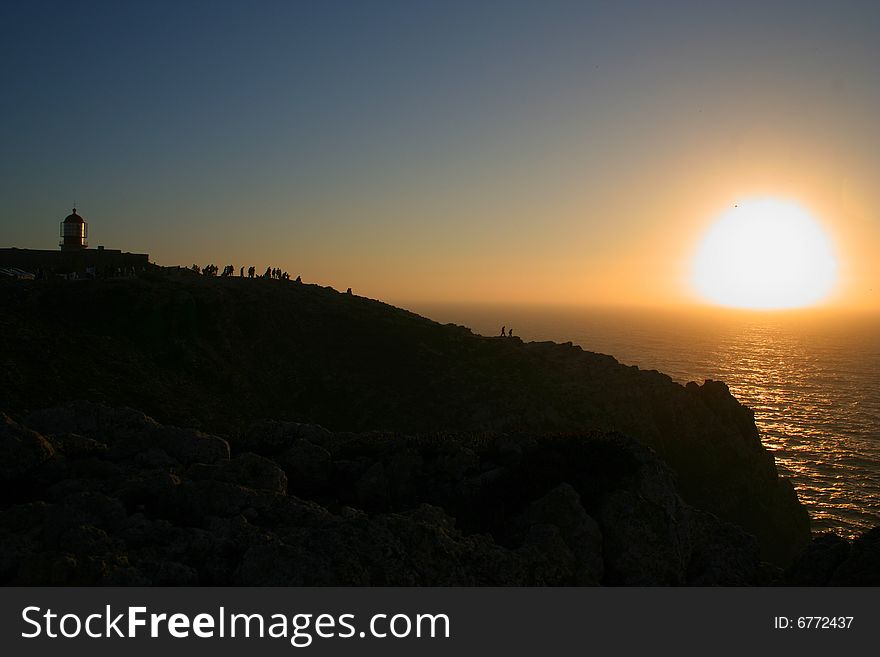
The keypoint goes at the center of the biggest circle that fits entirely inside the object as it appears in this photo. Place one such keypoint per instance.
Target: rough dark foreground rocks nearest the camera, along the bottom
(109, 496)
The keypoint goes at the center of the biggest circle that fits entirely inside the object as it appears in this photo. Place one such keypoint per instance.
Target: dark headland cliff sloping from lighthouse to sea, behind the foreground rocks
(219, 354)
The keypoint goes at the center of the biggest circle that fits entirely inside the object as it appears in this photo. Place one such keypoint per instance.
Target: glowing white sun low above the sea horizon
(765, 254)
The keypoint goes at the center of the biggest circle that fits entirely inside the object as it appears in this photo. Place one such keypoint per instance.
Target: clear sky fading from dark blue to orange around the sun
(536, 152)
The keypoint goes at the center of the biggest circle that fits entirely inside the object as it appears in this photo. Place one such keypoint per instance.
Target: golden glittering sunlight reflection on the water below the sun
(813, 418)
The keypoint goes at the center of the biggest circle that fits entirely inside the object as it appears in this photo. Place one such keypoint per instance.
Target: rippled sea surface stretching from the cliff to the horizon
(812, 379)
